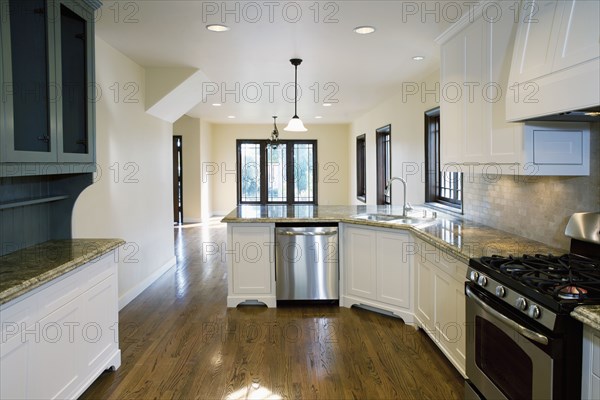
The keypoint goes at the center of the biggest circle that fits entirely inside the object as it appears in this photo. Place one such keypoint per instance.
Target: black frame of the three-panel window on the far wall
(290, 171)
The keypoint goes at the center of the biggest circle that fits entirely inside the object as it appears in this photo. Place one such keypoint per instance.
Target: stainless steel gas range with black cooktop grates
(522, 342)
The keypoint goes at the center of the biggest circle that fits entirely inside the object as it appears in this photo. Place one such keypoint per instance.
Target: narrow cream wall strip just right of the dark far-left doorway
(189, 129)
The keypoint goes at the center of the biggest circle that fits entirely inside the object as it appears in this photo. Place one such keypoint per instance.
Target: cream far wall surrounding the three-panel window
(332, 156)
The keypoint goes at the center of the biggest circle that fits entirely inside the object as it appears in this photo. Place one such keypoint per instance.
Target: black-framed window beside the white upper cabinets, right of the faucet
(443, 187)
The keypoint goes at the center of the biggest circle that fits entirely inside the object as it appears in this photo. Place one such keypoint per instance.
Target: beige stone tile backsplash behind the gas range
(536, 207)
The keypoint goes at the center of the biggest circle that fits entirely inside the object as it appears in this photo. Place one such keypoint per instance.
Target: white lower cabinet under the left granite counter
(57, 340)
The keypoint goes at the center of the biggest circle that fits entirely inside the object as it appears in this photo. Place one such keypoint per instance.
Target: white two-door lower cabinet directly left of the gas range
(440, 300)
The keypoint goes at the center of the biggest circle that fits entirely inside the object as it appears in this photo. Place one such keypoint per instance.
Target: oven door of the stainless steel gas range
(505, 358)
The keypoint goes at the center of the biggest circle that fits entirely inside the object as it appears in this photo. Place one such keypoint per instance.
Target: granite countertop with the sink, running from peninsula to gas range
(463, 238)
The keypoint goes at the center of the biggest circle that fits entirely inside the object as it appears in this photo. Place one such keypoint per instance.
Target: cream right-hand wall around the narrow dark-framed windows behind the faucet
(406, 115)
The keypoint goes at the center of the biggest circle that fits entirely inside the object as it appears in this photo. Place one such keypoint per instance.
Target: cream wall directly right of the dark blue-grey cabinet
(132, 196)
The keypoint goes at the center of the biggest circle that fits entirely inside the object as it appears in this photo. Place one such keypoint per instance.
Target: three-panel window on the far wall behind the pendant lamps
(282, 174)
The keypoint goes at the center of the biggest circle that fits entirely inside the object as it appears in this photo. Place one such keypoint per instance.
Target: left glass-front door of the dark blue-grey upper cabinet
(28, 130)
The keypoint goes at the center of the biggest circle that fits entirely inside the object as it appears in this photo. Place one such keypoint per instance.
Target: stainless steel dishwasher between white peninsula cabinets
(306, 263)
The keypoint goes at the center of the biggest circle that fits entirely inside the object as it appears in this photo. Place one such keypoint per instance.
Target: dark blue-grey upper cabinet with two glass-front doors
(48, 88)
